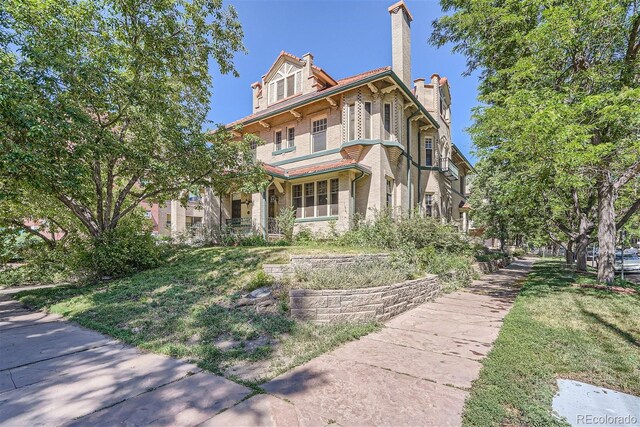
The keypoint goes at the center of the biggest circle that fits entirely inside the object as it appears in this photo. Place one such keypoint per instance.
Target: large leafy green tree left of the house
(103, 103)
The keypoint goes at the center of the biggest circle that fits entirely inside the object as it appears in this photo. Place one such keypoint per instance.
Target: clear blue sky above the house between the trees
(345, 38)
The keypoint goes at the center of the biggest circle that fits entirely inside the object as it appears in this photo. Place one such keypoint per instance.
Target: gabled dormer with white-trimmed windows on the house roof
(289, 76)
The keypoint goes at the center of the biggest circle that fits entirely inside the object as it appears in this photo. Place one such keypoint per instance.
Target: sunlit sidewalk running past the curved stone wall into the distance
(416, 371)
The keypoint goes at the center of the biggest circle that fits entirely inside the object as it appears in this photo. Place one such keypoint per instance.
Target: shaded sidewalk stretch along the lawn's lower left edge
(53, 373)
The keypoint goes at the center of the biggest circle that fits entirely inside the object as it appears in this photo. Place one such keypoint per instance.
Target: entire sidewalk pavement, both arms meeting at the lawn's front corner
(415, 371)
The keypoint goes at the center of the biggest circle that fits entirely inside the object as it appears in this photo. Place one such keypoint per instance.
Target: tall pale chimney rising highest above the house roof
(401, 41)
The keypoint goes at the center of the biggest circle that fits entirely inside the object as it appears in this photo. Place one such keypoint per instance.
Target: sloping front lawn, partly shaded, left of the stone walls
(184, 308)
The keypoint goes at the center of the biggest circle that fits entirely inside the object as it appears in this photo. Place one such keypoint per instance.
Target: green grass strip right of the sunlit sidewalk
(556, 330)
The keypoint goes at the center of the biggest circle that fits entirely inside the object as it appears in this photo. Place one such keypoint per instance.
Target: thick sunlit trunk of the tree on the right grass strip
(606, 232)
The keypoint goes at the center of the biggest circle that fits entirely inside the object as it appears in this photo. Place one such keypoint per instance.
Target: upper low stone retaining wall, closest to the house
(319, 261)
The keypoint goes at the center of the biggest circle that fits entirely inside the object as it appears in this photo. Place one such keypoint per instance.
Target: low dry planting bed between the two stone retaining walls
(351, 276)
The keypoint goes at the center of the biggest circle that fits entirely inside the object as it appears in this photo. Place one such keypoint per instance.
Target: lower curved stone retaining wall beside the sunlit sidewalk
(361, 305)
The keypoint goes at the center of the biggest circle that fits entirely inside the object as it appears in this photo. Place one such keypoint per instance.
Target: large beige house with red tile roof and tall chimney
(337, 147)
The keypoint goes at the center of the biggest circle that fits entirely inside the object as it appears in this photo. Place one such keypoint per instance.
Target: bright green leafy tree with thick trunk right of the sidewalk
(560, 91)
